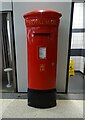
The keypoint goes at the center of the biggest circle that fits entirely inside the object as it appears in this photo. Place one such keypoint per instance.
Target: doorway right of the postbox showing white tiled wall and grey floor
(76, 54)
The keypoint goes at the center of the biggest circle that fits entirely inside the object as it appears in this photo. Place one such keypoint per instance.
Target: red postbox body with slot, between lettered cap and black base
(42, 59)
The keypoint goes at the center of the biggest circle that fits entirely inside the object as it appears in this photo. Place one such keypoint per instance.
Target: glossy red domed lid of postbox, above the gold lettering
(46, 13)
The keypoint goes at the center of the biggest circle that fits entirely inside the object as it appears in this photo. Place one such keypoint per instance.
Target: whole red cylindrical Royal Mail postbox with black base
(42, 38)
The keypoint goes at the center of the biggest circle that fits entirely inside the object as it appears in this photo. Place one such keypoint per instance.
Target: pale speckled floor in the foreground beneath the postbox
(18, 108)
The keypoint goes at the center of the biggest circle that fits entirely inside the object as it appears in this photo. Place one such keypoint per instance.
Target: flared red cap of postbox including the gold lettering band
(42, 18)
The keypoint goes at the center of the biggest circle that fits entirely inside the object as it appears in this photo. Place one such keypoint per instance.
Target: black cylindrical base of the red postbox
(42, 98)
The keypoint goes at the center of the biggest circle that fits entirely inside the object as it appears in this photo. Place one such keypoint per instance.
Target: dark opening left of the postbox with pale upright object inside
(9, 77)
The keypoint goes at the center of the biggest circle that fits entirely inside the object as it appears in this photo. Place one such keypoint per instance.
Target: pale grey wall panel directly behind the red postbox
(19, 9)
